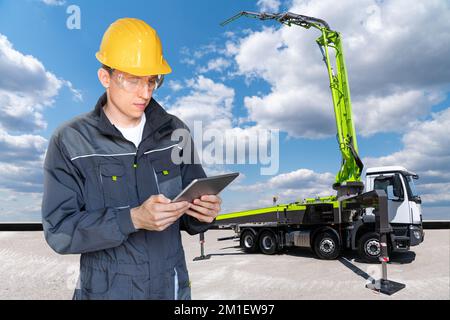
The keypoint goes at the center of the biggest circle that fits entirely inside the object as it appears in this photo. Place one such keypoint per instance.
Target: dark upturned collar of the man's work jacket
(157, 119)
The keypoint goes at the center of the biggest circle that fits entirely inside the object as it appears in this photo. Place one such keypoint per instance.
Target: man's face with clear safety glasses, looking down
(130, 94)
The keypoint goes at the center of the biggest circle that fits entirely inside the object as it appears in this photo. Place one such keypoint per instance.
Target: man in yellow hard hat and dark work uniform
(109, 176)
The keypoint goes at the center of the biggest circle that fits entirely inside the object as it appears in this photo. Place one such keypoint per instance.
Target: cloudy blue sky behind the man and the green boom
(246, 76)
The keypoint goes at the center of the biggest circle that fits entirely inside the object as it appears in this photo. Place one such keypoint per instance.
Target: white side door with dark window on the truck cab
(398, 205)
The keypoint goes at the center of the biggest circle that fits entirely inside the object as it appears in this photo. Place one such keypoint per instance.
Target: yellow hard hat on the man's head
(131, 45)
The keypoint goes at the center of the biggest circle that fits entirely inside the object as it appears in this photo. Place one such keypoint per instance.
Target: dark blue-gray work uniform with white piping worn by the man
(92, 177)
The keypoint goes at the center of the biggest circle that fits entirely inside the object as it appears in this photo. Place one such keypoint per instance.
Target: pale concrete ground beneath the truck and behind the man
(29, 269)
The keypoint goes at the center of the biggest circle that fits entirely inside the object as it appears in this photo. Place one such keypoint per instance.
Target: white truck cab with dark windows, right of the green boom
(404, 204)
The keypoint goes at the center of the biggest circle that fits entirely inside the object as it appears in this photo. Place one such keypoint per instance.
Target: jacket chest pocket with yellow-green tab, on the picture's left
(114, 184)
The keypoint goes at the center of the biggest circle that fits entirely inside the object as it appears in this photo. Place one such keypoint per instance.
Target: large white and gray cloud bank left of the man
(26, 89)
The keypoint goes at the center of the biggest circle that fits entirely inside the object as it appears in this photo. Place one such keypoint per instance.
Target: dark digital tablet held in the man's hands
(205, 186)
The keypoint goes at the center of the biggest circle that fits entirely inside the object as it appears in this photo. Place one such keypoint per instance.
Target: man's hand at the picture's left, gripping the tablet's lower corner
(157, 213)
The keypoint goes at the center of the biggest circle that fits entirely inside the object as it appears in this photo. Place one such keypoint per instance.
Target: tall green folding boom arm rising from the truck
(352, 165)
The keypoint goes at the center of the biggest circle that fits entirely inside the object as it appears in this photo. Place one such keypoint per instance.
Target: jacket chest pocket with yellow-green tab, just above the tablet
(168, 177)
